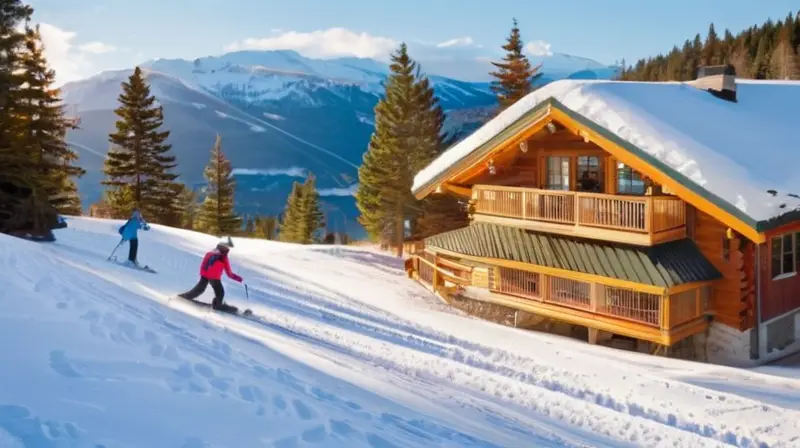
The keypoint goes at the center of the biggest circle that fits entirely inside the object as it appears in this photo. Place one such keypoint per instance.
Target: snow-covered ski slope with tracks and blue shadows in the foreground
(347, 352)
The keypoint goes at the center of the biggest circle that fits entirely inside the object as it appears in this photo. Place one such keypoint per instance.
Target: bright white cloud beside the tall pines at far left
(70, 61)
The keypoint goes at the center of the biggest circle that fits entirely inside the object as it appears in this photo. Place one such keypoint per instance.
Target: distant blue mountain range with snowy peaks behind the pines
(281, 115)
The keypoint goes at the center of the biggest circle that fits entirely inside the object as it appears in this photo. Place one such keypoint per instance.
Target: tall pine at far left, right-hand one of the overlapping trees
(46, 126)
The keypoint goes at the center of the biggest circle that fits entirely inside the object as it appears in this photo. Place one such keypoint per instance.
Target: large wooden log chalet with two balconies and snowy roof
(573, 220)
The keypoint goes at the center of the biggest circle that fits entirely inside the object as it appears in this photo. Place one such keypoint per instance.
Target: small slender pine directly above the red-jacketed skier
(217, 214)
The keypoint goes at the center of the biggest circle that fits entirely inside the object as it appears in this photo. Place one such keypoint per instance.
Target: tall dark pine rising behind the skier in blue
(138, 168)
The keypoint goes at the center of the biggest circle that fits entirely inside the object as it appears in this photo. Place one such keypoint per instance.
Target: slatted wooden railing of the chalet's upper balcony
(638, 214)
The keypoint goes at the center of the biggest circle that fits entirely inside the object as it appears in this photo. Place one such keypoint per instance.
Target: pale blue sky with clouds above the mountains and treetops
(86, 36)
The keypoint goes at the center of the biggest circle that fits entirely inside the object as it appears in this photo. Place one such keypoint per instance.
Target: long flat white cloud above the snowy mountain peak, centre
(329, 43)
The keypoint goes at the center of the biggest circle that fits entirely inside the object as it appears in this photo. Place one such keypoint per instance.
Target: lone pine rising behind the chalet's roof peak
(515, 76)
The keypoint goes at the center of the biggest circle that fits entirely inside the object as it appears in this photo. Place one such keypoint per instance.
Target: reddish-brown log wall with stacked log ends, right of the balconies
(733, 295)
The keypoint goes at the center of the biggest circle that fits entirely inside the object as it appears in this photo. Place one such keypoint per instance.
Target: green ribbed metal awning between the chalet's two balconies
(664, 265)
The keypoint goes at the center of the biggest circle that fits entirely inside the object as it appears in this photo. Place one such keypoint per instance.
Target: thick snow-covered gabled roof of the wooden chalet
(736, 151)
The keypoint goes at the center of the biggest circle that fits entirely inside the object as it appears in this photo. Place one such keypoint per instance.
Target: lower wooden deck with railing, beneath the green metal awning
(660, 318)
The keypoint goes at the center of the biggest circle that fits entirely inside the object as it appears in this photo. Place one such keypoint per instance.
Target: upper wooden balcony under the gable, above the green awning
(640, 220)
